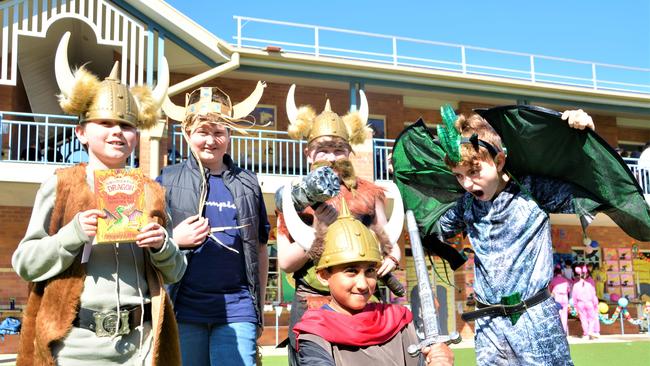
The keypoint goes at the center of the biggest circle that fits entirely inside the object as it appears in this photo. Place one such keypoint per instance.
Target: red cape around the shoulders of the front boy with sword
(376, 324)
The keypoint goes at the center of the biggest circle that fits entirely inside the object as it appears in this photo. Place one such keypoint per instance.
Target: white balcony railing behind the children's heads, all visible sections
(50, 139)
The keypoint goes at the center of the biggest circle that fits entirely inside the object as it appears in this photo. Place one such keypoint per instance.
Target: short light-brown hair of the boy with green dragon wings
(469, 154)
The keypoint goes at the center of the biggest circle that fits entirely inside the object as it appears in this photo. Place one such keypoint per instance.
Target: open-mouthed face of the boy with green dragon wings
(484, 180)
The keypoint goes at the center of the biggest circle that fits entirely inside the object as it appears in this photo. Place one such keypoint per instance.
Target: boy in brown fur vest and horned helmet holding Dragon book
(101, 304)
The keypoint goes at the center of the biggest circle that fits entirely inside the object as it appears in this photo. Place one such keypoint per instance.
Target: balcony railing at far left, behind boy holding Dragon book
(42, 139)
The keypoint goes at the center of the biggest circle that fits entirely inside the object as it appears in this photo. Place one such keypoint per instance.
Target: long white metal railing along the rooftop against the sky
(403, 51)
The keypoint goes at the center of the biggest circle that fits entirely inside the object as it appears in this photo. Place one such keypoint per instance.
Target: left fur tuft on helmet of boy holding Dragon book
(82, 94)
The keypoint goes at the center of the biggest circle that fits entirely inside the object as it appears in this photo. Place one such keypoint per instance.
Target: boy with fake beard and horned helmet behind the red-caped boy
(300, 238)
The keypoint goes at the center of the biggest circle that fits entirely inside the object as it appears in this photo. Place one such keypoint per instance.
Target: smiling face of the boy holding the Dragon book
(109, 143)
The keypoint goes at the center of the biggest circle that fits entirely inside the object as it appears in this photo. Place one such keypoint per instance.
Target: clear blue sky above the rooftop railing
(616, 32)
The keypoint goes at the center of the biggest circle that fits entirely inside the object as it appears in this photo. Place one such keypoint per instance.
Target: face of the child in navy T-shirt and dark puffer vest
(210, 141)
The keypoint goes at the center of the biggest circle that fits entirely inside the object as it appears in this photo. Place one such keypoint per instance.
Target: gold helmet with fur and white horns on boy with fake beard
(305, 124)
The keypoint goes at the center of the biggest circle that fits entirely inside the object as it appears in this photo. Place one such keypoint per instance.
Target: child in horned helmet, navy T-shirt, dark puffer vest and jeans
(221, 223)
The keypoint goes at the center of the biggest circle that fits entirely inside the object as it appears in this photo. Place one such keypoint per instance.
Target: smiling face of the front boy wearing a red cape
(351, 285)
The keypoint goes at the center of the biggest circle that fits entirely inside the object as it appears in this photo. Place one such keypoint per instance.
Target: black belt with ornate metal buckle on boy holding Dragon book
(104, 324)
